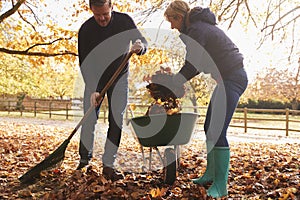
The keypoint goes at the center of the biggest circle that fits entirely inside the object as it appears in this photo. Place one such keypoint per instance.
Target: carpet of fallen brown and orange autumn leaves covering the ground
(258, 170)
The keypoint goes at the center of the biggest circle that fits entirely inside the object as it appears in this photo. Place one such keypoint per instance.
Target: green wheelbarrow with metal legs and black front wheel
(164, 130)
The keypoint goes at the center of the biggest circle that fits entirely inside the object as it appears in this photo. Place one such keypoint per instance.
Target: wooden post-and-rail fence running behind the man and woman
(247, 118)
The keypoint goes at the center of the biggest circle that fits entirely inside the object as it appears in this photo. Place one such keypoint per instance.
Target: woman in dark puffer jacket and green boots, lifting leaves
(210, 50)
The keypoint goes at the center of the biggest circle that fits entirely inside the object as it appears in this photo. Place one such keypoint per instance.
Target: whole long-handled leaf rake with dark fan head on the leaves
(58, 155)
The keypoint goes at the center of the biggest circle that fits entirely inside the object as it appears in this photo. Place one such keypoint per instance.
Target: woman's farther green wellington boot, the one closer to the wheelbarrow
(208, 175)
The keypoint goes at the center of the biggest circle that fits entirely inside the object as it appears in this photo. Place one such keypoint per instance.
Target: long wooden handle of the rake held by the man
(102, 93)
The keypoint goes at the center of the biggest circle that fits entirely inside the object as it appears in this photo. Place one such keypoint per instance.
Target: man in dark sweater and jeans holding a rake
(103, 42)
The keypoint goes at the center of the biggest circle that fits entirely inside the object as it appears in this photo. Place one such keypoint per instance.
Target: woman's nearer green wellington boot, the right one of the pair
(219, 186)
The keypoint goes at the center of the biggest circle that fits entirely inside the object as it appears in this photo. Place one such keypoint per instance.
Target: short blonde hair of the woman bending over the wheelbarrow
(177, 7)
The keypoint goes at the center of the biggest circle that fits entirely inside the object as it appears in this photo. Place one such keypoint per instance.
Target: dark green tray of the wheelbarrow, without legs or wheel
(163, 130)
